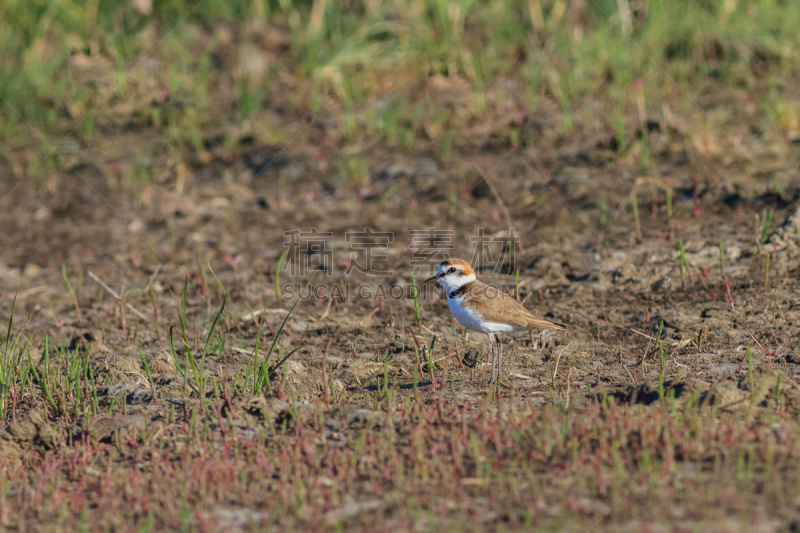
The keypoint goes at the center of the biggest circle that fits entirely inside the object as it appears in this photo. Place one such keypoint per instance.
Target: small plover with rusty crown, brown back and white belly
(483, 308)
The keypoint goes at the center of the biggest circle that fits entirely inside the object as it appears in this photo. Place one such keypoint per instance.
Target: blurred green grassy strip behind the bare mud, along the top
(192, 79)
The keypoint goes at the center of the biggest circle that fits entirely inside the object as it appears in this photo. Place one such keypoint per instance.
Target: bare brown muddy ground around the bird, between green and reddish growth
(578, 260)
